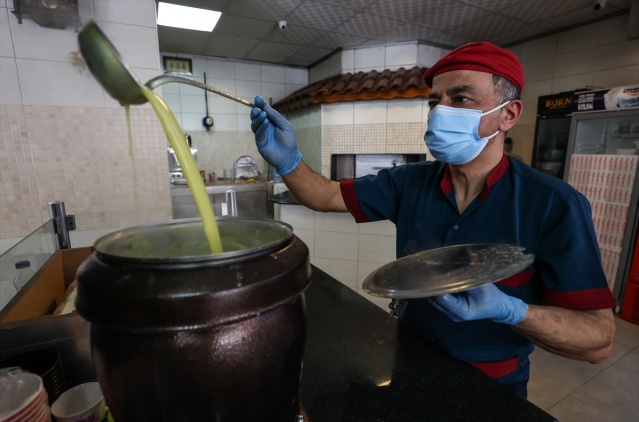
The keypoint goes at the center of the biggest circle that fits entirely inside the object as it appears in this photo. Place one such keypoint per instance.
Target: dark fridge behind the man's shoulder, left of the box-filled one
(551, 133)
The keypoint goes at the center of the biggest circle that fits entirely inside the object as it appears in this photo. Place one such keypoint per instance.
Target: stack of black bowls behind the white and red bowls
(45, 363)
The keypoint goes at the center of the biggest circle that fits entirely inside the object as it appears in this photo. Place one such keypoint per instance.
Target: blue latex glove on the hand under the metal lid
(484, 302)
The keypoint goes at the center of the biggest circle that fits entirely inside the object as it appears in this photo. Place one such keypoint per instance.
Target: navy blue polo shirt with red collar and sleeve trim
(518, 205)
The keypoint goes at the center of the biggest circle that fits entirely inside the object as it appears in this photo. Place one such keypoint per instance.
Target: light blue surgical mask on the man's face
(453, 133)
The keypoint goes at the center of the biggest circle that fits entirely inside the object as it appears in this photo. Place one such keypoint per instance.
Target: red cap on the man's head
(483, 57)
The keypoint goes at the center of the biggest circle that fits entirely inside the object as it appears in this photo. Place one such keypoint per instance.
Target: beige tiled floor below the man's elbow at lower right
(582, 392)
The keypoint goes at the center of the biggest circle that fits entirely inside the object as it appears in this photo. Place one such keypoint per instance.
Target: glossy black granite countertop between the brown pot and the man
(361, 366)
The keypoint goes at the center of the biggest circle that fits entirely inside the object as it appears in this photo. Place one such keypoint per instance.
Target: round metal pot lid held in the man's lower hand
(446, 270)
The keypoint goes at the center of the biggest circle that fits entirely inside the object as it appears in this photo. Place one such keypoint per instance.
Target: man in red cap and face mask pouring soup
(474, 193)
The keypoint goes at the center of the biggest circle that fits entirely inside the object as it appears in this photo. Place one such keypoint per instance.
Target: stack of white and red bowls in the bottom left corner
(23, 397)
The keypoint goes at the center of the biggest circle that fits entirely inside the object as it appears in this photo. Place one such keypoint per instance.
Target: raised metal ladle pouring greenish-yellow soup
(116, 78)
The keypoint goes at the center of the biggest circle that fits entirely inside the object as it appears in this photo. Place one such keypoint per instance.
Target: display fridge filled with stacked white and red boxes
(601, 163)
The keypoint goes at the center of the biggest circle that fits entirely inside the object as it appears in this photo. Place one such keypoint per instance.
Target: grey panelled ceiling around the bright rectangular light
(248, 29)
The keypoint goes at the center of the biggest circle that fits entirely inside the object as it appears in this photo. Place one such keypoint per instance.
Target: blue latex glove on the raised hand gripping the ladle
(274, 137)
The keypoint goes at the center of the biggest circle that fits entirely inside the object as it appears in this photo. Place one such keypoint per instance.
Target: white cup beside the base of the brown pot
(84, 402)
